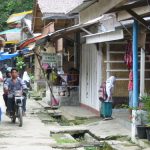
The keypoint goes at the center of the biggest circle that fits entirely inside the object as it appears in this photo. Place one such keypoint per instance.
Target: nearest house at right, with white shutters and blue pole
(110, 25)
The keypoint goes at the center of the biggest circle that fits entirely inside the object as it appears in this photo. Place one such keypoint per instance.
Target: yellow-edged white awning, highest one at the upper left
(18, 16)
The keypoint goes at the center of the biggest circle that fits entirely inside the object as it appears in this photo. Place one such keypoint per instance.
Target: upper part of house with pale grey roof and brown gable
(46, 11)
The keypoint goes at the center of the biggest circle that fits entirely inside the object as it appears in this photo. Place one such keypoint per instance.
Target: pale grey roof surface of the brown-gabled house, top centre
(58, 6)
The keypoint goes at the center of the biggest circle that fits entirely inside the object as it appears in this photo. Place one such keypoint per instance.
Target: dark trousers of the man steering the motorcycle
(11, 104)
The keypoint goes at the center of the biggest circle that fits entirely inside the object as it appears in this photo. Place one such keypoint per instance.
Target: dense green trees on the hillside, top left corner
(9, 7)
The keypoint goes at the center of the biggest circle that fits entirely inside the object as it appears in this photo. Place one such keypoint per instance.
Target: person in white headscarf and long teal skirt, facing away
(107, 104)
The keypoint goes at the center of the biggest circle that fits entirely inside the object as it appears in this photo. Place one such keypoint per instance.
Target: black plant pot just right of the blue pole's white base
(141, 132)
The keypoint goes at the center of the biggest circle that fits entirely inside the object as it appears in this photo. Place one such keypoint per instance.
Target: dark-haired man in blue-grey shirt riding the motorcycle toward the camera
(10, 86)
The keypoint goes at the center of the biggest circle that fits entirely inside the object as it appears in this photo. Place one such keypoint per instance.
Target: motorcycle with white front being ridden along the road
(18, 108)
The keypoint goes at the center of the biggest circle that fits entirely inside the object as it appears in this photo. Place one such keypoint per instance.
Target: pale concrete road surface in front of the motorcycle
(33, 135)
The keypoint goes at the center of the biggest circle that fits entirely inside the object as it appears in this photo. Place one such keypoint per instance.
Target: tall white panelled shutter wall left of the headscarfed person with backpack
(90, 75)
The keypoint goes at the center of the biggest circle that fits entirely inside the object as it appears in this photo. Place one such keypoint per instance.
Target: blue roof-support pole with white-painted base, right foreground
(135, 77)
